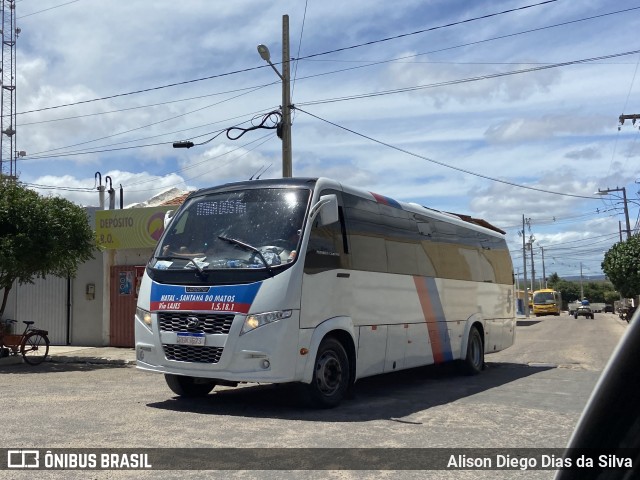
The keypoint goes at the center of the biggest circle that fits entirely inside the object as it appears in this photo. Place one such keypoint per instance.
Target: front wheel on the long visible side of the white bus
(331, 378)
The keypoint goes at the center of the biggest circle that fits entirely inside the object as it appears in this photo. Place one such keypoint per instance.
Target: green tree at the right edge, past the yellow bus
(621, 264)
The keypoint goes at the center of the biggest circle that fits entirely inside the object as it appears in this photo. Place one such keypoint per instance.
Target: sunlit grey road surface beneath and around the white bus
(530, 395)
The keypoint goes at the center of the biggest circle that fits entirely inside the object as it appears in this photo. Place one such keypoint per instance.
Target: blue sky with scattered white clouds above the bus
(503, 110)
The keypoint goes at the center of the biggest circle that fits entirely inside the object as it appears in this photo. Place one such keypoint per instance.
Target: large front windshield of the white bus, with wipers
(243, 229)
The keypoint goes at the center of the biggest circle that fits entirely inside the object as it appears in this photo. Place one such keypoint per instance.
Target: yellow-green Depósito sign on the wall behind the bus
(130, 228)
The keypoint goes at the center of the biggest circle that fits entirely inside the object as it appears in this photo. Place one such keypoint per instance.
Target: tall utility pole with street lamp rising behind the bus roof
(287, 169)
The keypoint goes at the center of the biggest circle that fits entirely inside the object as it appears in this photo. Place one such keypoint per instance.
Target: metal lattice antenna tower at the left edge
(8, 152)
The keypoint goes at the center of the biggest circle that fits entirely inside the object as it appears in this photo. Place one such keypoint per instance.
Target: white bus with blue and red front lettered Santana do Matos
(311, 281)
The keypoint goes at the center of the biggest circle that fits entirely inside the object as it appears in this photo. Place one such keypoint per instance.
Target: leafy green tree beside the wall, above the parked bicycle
(39, 236)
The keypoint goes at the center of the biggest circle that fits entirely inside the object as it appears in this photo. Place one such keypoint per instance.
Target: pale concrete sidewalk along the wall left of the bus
(91, 355)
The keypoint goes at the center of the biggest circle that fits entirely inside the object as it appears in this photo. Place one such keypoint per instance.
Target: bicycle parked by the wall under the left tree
(32, 344)
